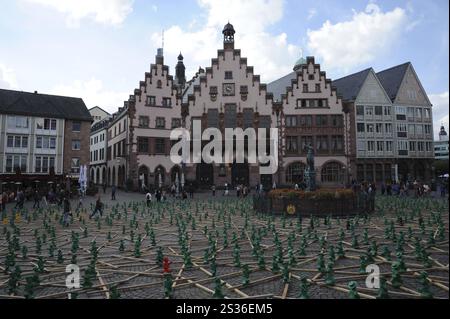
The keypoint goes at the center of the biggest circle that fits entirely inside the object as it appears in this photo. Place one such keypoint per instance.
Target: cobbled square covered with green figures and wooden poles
(221, 247)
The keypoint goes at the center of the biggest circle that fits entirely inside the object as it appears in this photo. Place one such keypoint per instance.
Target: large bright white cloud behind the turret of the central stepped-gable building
(271, 55)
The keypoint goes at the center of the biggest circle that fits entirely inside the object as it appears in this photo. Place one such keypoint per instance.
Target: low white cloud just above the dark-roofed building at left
(93, 94)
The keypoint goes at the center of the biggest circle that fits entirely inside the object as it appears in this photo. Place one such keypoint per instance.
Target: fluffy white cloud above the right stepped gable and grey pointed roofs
(349, 44)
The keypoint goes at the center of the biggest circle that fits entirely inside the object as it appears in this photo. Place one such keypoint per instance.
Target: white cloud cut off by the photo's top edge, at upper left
(108, 12)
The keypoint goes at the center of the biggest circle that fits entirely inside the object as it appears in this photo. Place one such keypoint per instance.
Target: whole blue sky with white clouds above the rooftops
(99, 50)
